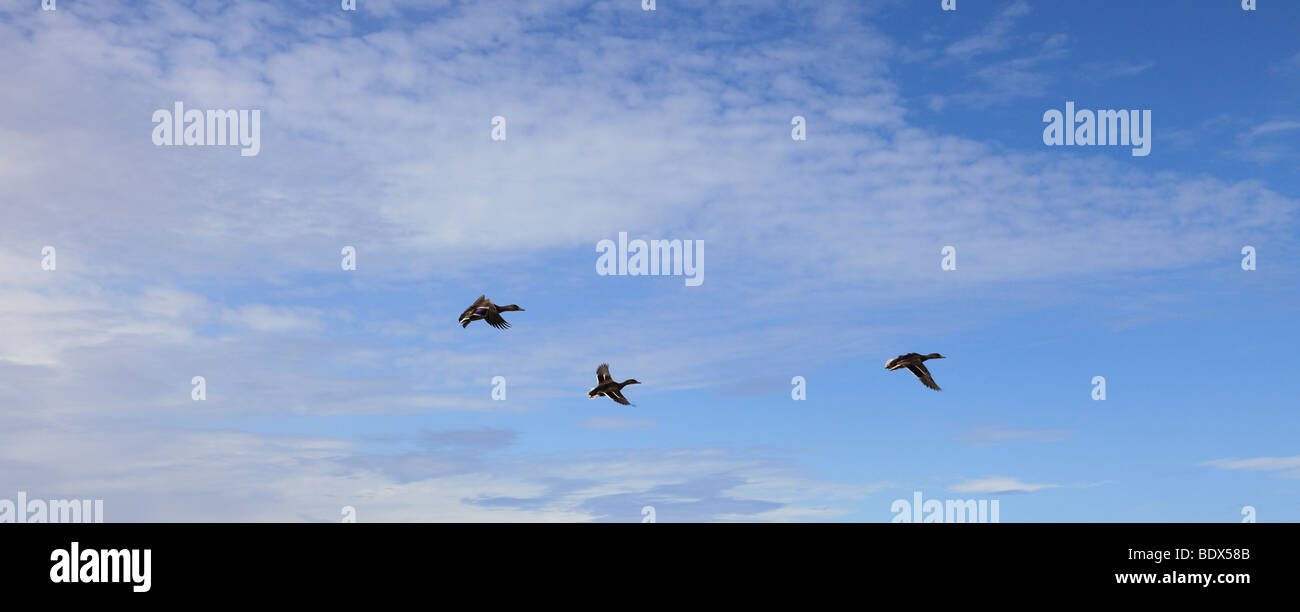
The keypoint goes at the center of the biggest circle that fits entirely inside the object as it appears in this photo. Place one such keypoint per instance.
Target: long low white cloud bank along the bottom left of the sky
(229, 476)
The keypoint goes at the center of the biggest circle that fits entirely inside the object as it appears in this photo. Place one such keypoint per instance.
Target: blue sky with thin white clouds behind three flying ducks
(925, 129)
